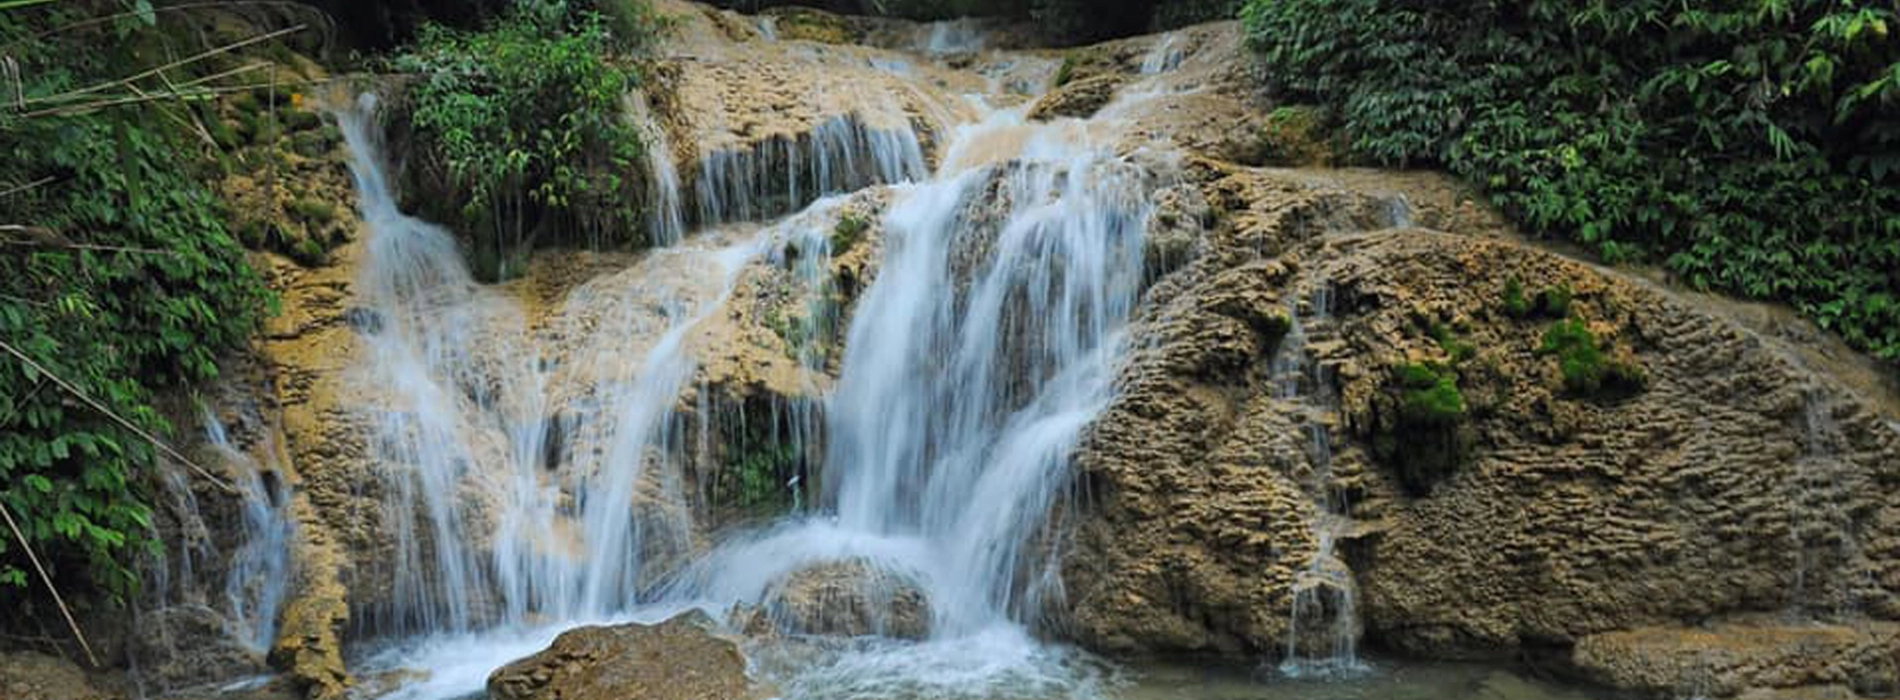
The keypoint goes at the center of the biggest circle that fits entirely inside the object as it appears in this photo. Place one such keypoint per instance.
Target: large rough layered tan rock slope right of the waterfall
(1739, 480)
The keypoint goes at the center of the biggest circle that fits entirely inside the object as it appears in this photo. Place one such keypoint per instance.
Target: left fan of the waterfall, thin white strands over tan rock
(495, 524)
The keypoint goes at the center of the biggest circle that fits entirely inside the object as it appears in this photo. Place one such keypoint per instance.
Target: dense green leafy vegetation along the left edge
(119, 279)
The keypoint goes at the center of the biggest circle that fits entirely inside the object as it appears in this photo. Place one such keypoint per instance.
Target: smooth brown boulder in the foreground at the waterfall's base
(679, 659)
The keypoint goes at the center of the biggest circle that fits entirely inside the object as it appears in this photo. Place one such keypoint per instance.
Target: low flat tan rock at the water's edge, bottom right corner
(1755, 659)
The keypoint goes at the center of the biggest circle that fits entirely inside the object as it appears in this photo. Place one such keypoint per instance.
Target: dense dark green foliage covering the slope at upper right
(1749, 147)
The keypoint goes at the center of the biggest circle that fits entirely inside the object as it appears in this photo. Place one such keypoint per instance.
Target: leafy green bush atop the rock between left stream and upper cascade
(527, 126)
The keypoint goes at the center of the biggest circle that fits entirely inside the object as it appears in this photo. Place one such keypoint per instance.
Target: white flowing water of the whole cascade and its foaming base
(533, 457)
